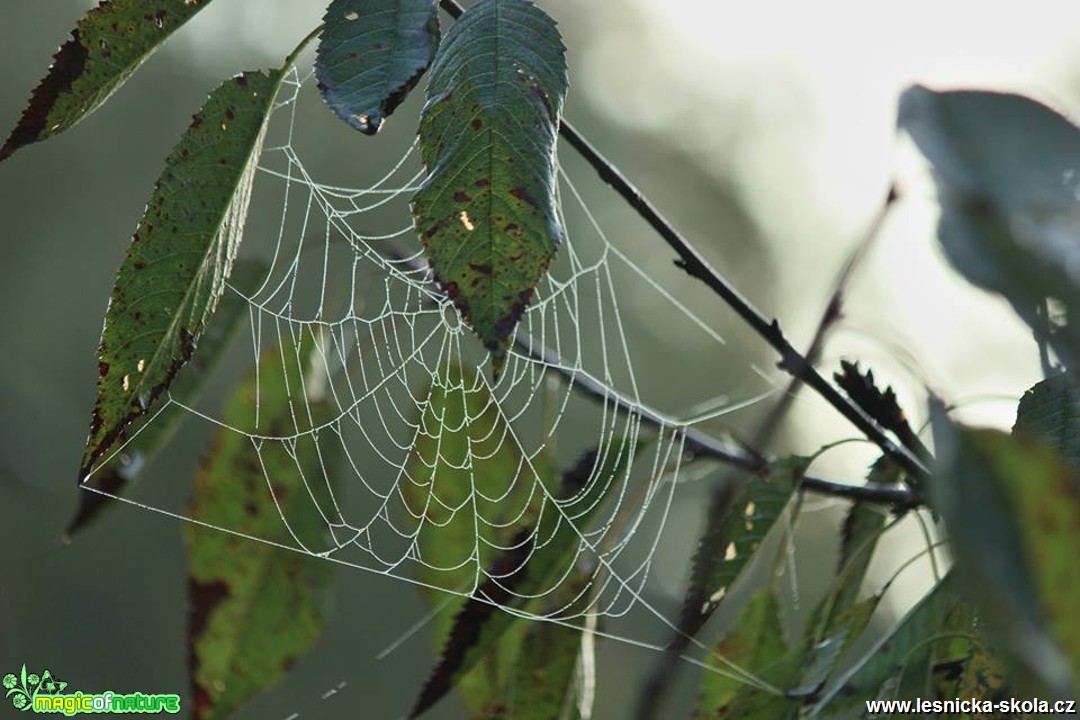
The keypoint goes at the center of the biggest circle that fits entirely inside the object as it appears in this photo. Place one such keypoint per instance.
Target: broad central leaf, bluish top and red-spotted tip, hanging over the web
(487, 212)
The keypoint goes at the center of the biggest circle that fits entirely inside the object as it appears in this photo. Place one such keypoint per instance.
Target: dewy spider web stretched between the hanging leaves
(356, 307)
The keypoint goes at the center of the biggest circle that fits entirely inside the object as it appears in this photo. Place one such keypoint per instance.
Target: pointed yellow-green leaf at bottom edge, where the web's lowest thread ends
(754, 644)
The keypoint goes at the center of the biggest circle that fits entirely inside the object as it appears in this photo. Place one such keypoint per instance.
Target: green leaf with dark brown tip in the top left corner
(109, 45)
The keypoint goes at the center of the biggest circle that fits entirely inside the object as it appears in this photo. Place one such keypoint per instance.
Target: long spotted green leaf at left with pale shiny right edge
(180, 259)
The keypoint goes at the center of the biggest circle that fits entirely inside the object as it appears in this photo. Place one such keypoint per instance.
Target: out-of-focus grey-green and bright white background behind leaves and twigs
(766, 132)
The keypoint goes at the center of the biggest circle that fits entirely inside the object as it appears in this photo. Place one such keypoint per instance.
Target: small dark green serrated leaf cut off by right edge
(1050, 411)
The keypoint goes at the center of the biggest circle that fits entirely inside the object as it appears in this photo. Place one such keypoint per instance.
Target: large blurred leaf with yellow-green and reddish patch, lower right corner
(1019, 552)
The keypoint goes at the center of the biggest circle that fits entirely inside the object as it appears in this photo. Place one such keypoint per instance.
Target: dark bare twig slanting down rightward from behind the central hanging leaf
(696, 266)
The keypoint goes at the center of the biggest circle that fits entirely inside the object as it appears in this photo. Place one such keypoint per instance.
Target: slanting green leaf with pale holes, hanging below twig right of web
(733, 535)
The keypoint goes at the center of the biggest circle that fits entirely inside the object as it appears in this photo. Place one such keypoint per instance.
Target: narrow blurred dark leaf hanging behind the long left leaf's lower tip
(151, 434)
